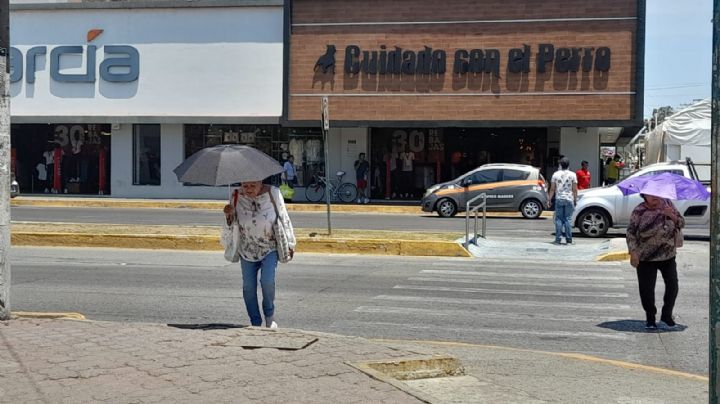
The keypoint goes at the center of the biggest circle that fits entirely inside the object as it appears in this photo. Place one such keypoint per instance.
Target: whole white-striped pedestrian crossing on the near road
(542, 305)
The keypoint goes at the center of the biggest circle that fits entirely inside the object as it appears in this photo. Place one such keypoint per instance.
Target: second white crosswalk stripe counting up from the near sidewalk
(406, 311)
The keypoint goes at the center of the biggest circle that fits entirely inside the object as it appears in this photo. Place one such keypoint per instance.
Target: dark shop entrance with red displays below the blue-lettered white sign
(61, 158)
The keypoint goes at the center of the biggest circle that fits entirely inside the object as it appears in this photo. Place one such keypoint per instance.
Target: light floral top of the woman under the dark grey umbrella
(256, 218)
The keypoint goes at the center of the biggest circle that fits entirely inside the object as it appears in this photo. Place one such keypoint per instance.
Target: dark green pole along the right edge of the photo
(715, 212)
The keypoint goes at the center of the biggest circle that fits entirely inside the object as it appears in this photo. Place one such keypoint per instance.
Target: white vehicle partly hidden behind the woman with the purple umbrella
(599, 209)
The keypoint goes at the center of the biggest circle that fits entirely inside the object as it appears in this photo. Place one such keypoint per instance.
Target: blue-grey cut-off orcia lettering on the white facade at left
(120, 63)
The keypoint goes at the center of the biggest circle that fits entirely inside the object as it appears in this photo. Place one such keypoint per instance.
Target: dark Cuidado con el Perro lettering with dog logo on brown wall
(429, 61)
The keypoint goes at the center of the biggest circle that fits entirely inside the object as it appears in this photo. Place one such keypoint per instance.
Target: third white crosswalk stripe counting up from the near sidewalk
(500, 302)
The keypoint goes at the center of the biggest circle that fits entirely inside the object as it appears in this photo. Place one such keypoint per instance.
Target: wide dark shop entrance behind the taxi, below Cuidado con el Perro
(405, 162)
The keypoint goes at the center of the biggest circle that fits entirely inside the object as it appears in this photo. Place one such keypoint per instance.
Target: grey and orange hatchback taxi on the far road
(509, 188)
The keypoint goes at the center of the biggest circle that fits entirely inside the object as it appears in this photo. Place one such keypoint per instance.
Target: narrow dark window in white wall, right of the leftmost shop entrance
(146, 154)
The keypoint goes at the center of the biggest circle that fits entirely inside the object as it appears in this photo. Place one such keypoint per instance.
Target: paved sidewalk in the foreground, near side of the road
(54, 361)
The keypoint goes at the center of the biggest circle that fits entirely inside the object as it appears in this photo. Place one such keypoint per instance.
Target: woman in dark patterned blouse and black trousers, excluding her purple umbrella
(651, 240)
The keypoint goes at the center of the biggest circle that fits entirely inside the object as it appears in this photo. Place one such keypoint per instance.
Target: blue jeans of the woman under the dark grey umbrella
(267, 268)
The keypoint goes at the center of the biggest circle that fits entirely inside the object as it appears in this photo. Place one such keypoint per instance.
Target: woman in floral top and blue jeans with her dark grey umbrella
(259, 209)
